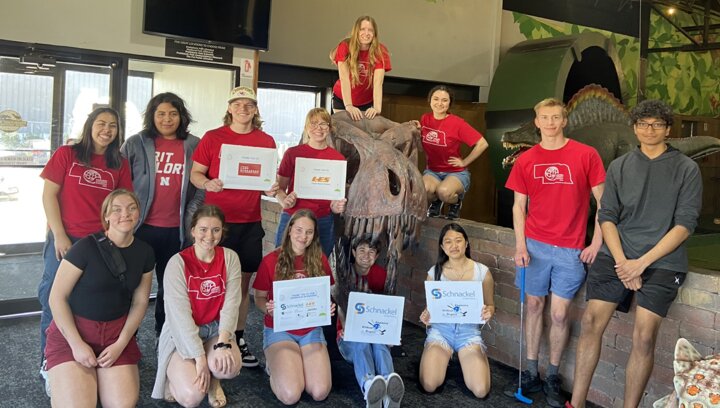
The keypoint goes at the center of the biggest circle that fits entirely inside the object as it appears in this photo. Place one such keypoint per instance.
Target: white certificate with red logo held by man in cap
(247, 168)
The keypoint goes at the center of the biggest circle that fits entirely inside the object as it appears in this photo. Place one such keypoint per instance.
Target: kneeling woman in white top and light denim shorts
(454, 264)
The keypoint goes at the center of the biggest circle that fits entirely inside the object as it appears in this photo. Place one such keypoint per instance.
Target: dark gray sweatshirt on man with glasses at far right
(646, 198)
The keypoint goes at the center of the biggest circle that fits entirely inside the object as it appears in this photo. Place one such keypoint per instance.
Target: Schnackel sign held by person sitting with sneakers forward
(374, 318)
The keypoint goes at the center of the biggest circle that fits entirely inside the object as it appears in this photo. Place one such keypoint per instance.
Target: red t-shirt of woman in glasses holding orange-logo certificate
(320, 208)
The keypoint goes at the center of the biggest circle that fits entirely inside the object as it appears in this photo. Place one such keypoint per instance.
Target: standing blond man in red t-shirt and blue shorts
(552, 182)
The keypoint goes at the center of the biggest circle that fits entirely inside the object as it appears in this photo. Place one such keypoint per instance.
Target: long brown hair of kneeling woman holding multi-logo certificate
(312, 260)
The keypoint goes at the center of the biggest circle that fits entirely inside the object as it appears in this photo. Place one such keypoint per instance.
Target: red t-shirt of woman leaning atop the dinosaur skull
(362, 93)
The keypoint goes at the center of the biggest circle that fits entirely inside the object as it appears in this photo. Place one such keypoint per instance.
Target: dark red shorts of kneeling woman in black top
(98, 335)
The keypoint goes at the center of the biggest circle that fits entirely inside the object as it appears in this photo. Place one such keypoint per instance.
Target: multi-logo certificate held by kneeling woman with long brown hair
(301, 303)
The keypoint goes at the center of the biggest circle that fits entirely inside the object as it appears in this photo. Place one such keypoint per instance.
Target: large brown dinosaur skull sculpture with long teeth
(386, 195)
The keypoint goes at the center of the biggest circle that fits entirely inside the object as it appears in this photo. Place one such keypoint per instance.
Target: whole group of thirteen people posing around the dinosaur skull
(95, 286)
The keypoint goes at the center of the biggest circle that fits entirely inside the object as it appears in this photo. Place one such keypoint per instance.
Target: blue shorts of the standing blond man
(552, 269)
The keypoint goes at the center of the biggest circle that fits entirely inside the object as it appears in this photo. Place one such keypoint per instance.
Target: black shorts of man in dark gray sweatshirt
(658, 291)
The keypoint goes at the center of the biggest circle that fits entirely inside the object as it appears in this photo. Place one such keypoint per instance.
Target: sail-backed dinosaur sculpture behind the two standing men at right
(598, 119)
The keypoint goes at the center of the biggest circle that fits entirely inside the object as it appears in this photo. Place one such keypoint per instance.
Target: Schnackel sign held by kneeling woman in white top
(454, 301)
